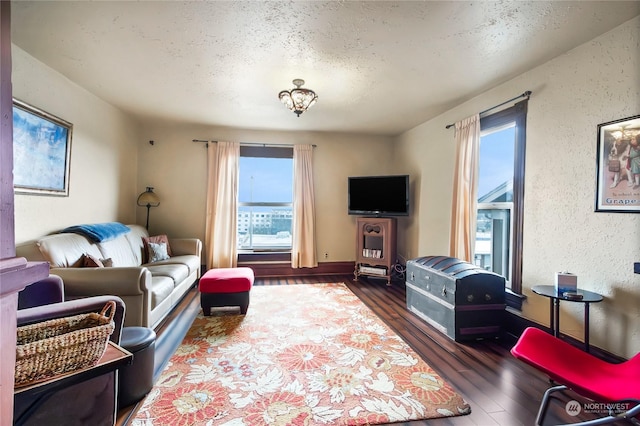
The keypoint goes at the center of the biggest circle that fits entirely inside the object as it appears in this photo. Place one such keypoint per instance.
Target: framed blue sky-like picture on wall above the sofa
(41, 151)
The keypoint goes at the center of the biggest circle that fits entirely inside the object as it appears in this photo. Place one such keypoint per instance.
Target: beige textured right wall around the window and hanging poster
(595, 83)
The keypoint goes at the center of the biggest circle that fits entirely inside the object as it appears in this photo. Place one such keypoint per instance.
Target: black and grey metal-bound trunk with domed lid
(460, 299)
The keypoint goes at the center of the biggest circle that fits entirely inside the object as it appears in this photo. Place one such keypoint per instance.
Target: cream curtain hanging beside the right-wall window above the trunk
(465, 188)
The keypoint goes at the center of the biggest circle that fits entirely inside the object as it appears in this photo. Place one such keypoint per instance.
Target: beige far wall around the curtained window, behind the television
(176, 167)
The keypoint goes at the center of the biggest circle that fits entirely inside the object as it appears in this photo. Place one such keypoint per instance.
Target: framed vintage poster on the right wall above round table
(618, 166)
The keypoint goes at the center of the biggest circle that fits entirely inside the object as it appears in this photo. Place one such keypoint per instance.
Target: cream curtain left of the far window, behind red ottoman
(221, 226)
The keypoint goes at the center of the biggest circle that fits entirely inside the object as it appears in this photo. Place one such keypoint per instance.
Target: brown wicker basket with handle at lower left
(62, 345)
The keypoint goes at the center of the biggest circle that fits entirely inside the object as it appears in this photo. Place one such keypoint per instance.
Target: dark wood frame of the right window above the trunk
(516, 114)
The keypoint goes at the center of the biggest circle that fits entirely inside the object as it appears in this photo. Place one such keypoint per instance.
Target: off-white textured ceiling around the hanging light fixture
(378, 67)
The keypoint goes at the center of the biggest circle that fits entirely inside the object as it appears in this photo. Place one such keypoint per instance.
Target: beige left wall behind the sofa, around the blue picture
(103, 154)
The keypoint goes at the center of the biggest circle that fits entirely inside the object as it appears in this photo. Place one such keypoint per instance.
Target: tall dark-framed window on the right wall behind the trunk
(498, 245)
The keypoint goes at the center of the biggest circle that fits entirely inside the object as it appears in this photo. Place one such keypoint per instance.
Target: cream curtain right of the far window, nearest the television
(303, 250)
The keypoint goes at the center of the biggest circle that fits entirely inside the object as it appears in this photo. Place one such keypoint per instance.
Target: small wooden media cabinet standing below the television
(375, 247)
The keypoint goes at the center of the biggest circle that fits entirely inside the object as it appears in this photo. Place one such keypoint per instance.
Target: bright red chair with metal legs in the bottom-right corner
(588, 376)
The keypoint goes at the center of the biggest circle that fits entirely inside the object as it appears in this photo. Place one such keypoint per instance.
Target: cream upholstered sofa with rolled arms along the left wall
(150, 290)
